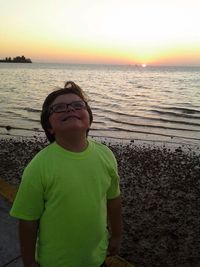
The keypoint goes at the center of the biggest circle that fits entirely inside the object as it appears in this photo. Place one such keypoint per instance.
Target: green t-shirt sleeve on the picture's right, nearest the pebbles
(114, 189)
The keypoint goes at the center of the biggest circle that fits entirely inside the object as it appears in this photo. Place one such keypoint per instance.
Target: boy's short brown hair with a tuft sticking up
(69, 88)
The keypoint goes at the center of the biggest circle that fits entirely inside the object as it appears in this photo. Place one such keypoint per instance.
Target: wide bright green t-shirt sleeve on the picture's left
(29, 202)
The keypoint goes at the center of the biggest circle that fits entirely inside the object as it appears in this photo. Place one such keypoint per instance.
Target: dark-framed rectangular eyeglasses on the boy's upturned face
(62, 107)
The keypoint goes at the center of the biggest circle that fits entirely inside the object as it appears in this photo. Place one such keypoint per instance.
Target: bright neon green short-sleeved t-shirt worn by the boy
(68, 193)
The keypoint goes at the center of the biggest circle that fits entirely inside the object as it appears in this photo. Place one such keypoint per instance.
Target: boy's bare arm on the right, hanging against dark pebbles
(115, 223)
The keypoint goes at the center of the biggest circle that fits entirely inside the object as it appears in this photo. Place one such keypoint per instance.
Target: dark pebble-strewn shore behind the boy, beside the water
(160, 193)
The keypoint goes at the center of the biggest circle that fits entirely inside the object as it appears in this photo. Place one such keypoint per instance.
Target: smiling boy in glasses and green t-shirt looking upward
(69, 190)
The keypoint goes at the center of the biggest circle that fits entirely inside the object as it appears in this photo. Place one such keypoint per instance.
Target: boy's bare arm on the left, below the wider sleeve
(28, 237)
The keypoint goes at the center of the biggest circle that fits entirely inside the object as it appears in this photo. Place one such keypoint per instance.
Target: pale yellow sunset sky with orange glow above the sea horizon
(152, 32)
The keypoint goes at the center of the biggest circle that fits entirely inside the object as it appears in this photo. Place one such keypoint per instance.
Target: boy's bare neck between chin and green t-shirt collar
(73, 143)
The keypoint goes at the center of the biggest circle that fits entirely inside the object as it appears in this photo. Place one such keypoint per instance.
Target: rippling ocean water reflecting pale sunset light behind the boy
(159, 104)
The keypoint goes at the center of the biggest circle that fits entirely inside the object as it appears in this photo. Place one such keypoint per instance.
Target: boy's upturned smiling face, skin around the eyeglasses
(71, 120)
